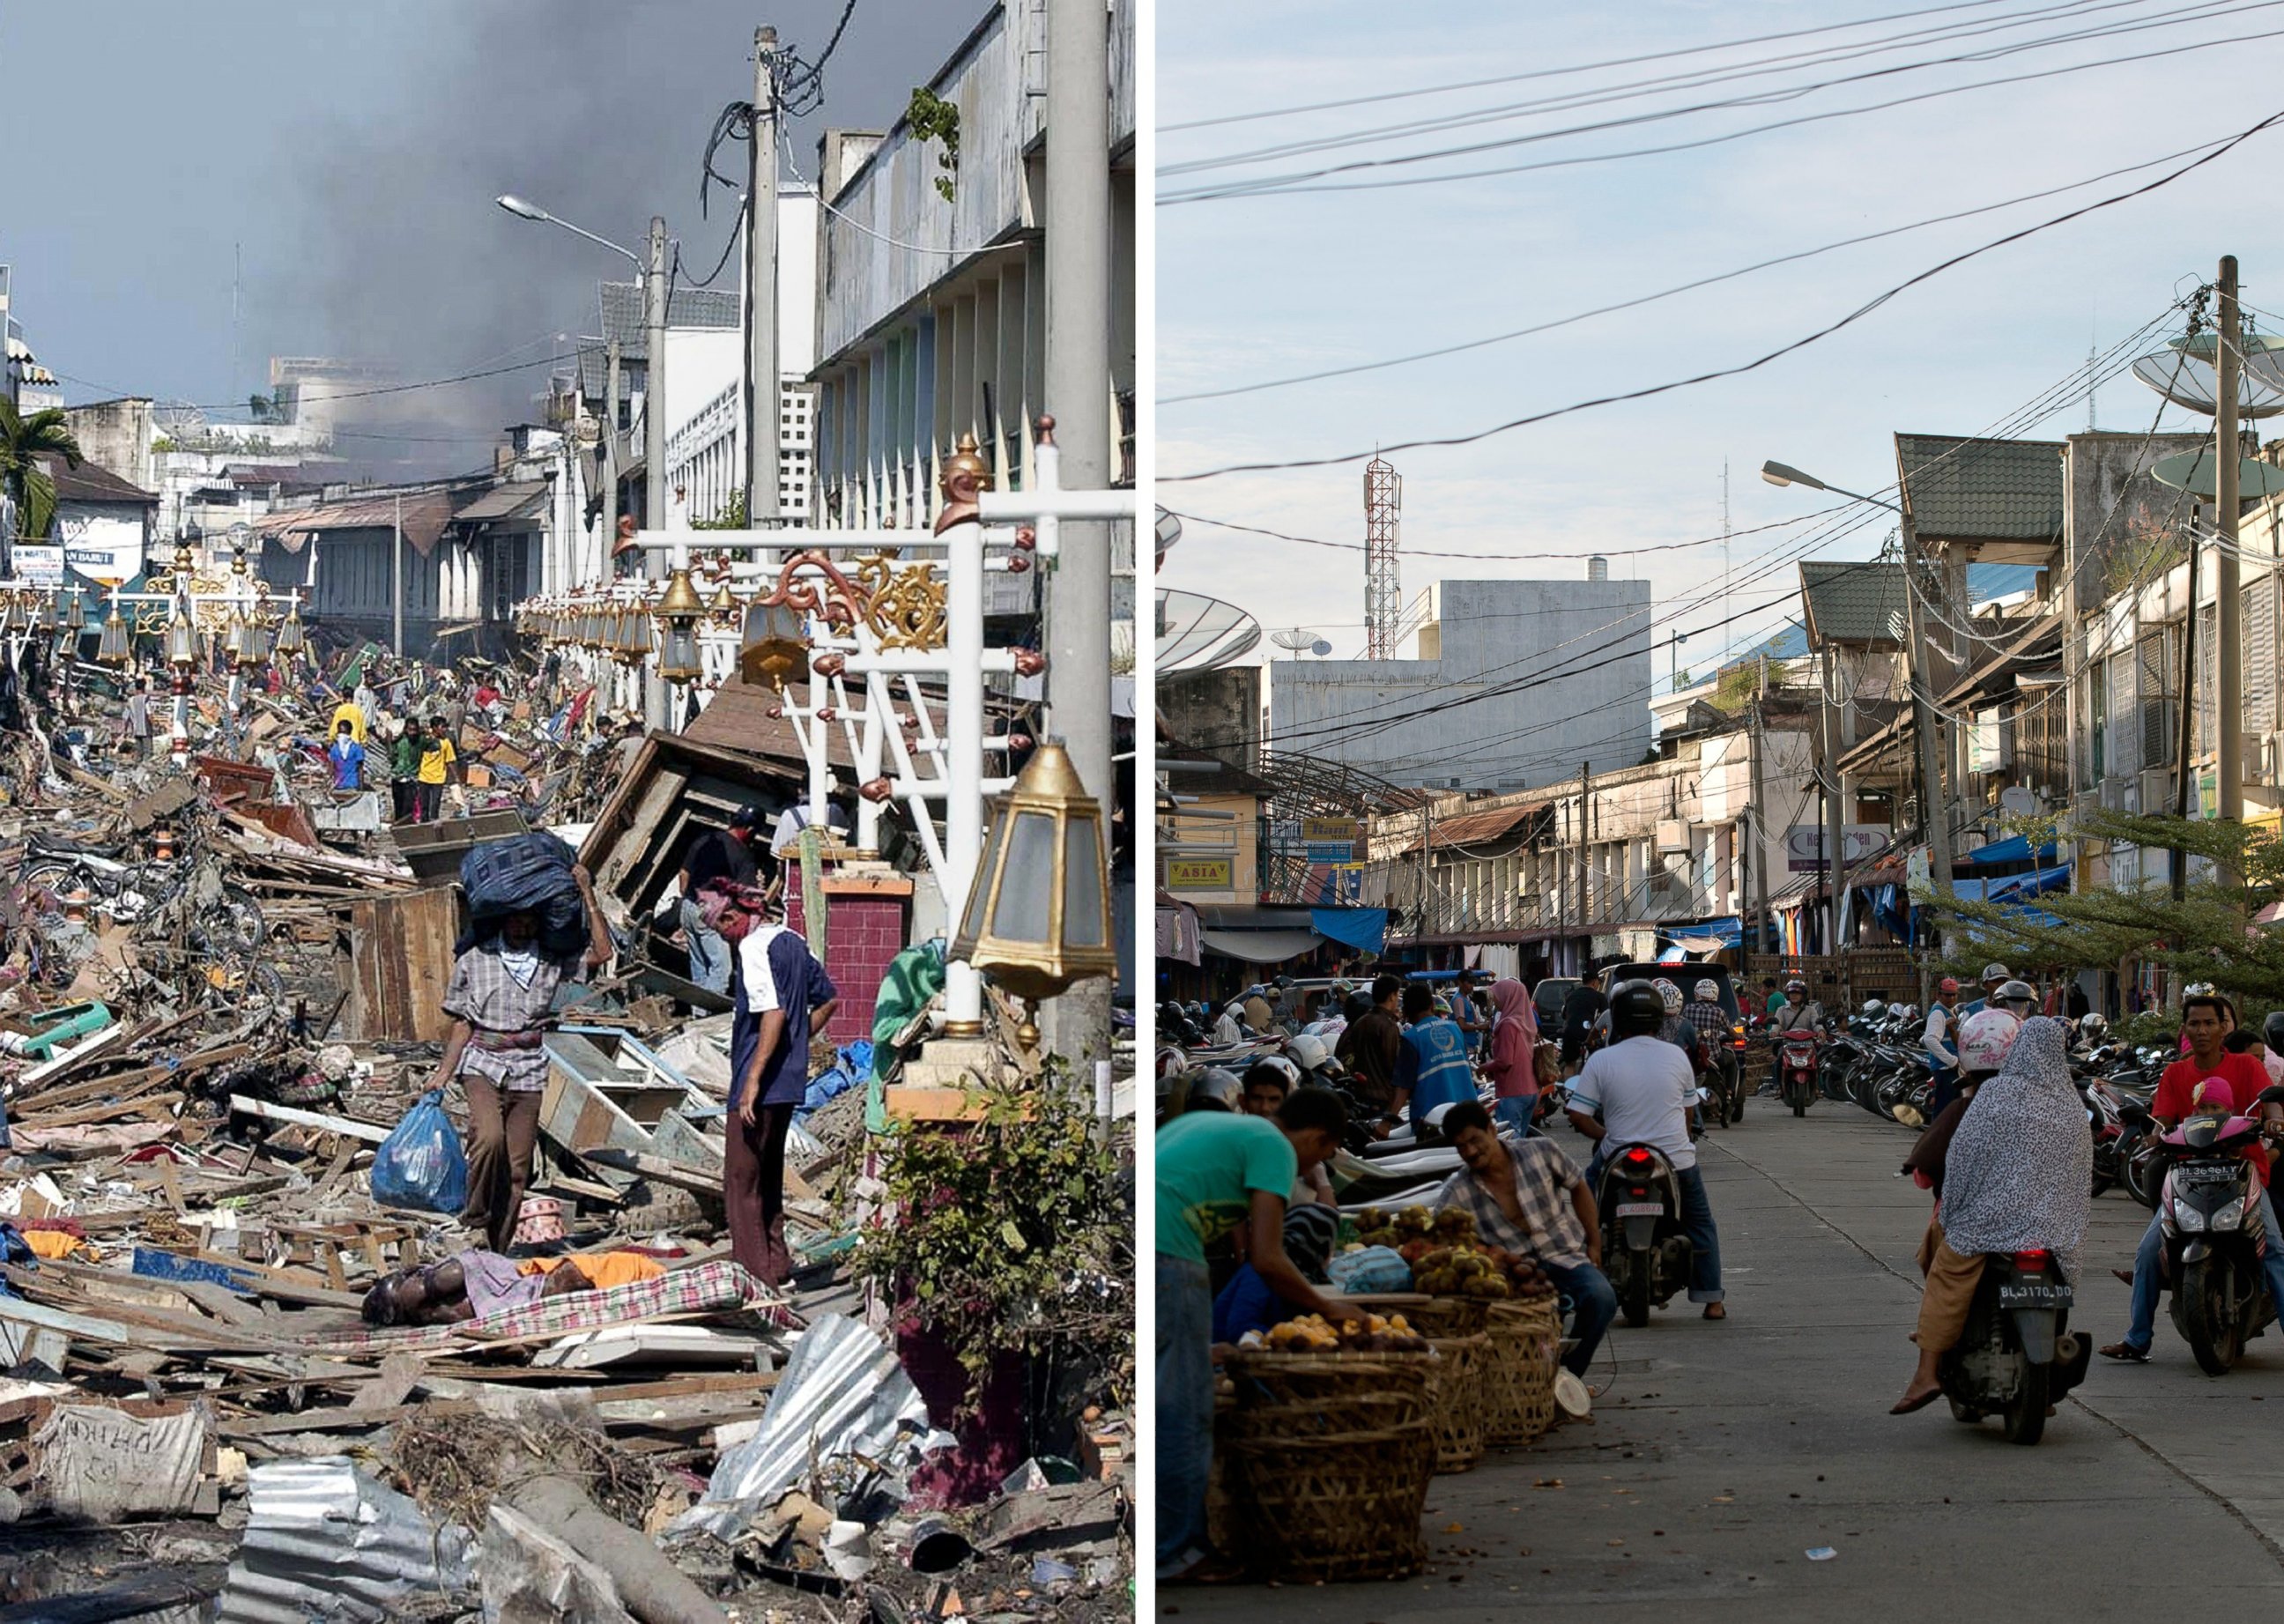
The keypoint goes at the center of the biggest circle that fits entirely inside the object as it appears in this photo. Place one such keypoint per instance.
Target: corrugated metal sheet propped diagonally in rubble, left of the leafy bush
(842, 1392)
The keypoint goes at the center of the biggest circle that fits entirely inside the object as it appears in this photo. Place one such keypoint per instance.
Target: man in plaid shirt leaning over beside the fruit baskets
(1529, 1198)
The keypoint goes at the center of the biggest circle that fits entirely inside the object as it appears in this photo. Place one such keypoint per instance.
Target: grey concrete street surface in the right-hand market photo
(1723, 1454)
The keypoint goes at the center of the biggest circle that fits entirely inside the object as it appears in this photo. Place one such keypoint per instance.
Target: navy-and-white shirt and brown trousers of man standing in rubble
(782, 995)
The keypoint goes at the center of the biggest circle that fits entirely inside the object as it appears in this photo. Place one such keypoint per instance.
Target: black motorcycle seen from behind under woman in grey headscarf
(2018, 1356)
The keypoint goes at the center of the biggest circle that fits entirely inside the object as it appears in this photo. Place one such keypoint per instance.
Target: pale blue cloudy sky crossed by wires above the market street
(1271, 287)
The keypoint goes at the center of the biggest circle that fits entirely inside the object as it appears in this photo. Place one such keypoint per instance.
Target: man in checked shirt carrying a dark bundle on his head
(501, 999)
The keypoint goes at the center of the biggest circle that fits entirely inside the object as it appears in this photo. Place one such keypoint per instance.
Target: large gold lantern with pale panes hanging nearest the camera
(1038, 915)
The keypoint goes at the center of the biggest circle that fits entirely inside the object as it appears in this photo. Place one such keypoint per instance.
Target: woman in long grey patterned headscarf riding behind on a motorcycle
(2018, 1177)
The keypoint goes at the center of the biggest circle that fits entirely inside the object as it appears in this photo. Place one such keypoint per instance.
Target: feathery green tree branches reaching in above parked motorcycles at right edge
(2210, 935)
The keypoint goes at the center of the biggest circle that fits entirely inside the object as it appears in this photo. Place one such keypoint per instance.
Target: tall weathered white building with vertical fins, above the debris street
(933, 309)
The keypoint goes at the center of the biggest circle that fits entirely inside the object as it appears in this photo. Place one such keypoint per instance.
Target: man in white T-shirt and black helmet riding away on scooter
(1639, 1091)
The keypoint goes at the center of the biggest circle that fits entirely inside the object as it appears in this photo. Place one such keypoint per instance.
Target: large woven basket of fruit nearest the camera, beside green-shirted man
(1337, 1506)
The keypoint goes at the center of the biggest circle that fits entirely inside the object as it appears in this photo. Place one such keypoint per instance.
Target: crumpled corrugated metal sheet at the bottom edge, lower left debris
(330, 1543)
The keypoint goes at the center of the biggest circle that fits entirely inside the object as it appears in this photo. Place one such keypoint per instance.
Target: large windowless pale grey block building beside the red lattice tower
(1515, 686)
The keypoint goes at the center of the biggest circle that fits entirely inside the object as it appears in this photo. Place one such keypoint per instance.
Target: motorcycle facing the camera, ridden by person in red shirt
(2212, 1216)
